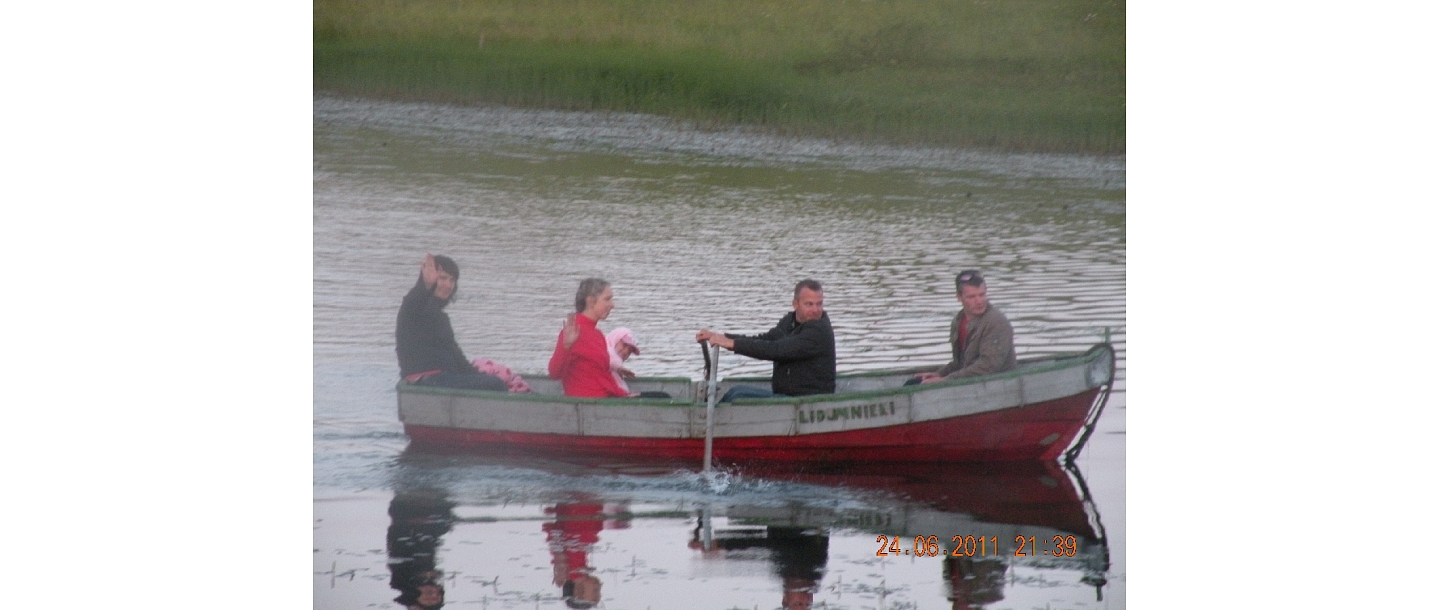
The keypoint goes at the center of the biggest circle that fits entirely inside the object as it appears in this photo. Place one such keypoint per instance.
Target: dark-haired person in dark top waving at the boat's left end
(424, 339)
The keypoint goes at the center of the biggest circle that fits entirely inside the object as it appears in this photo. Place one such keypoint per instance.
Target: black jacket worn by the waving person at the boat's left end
(424, 339)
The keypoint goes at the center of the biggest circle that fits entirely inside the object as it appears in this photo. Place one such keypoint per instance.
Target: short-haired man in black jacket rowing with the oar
(803, 347)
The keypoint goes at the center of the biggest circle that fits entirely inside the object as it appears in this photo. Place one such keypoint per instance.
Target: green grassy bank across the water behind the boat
(1014, 74)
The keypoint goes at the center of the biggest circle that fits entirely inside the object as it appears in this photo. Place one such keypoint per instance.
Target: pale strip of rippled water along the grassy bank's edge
(666, 137)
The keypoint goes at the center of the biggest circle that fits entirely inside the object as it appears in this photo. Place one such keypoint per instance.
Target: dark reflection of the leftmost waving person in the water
(418, 520)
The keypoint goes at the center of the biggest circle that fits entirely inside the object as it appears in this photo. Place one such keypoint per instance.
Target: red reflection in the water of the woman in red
(572, 537)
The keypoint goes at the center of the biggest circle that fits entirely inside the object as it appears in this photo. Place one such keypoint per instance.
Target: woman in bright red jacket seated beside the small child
(582, 359)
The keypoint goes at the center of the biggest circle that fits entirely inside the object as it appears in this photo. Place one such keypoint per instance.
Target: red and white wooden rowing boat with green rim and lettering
(1043, 409)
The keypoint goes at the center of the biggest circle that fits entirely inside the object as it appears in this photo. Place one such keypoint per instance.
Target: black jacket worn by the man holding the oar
(804, 355)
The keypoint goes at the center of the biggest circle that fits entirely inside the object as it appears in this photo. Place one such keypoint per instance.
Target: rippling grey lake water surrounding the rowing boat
(698, 229)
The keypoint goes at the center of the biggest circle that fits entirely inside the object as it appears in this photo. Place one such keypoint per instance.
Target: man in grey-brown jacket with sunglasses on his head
(981, 339)
